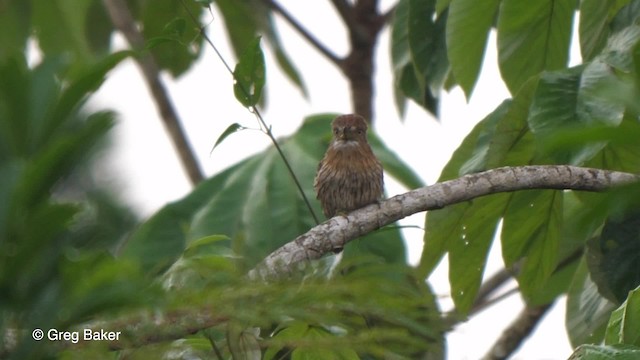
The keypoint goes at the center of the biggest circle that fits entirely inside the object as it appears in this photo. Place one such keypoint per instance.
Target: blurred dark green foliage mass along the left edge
(55, 234)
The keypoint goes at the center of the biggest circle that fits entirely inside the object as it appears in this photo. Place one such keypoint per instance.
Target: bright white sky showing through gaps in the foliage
(144, 165)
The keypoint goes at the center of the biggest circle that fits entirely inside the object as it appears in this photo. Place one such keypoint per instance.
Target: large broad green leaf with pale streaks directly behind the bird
(256, 204)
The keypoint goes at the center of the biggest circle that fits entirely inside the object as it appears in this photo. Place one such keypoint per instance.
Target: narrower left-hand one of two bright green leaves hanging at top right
(468, 28)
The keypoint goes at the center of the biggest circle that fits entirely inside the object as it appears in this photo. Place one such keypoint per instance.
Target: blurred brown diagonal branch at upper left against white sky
(124, 22)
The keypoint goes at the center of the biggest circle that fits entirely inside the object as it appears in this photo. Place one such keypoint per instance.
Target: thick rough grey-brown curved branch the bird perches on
(335, 233)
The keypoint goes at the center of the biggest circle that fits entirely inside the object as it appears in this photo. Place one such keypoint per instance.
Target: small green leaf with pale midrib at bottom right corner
(624, 325)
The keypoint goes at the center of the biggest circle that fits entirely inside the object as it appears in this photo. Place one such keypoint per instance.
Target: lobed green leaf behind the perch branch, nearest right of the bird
(465, 230)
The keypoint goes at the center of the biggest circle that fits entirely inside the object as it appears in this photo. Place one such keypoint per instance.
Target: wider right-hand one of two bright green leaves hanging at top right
(532, 37)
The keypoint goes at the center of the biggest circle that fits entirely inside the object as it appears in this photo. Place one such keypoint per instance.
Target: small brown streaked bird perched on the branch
(349, 176)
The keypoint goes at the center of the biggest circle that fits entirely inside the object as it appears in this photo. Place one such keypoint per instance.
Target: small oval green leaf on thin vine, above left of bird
(249, 75)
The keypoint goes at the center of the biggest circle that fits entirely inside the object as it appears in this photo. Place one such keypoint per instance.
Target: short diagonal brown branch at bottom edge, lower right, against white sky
(515, 334)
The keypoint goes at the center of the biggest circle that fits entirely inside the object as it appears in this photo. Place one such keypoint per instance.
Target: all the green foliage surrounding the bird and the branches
(57, 267)
